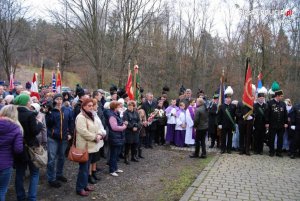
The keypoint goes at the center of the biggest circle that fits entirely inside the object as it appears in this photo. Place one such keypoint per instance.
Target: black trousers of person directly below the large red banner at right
(245, 129)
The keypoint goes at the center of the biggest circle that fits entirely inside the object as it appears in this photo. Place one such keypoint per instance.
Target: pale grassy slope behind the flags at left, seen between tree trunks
(25, 74)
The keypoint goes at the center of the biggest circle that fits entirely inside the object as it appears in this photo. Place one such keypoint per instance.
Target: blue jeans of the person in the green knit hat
(34, 180)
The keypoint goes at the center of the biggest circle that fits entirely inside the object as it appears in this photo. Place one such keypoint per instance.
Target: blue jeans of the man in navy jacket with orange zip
(56, 151)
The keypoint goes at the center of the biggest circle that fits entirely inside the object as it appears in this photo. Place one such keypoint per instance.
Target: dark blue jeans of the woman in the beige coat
(83, 175)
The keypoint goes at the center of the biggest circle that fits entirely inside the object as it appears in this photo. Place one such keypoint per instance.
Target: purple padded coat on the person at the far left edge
(11, 142)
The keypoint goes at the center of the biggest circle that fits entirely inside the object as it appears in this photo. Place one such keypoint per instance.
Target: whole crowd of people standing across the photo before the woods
(117, 128)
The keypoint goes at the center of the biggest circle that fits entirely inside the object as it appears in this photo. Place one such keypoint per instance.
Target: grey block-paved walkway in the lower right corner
(255, 177)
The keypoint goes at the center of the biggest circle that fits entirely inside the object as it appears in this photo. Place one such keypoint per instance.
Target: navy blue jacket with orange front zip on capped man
(60, 123)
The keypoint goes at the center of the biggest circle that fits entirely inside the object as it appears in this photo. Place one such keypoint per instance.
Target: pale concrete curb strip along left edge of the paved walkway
(190, 191)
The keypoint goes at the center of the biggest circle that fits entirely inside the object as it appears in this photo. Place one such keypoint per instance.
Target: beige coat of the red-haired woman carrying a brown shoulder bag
(86, 132)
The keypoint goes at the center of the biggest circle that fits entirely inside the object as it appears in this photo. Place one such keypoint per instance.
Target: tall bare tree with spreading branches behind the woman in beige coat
(86, 21)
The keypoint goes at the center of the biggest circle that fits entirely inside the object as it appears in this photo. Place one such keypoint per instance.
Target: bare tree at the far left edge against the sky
(11, 18)
